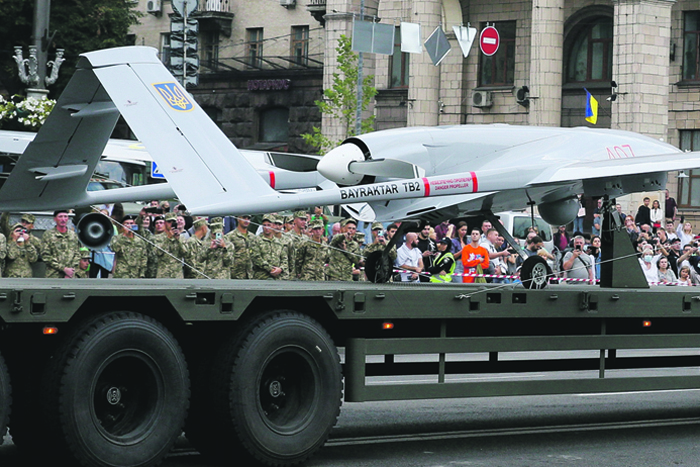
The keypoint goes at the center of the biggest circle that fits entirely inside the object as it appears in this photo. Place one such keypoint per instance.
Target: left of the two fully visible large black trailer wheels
(117, 392)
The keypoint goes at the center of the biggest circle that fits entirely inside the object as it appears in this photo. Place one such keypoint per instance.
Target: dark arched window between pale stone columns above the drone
(590, 57)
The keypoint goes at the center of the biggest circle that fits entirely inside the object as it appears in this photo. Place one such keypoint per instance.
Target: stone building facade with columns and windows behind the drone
(639, 58)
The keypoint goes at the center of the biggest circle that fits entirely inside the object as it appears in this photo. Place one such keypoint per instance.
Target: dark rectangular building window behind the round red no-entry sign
(499, 69)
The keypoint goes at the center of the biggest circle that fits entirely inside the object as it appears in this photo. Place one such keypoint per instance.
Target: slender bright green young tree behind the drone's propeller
(340, 101)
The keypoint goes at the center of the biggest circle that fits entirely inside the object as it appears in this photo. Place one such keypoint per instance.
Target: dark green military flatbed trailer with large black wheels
(110, 372)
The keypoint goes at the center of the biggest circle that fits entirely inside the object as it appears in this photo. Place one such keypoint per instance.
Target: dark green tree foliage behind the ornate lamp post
(79, 26)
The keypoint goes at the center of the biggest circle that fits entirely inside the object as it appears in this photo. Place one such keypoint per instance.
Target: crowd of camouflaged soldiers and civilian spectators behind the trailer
(164, 243)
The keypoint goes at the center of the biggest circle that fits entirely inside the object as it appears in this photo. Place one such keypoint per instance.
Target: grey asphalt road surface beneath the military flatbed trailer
(640, 429)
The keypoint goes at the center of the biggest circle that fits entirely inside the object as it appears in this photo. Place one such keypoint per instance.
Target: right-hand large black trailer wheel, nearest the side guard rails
(279, 383)
